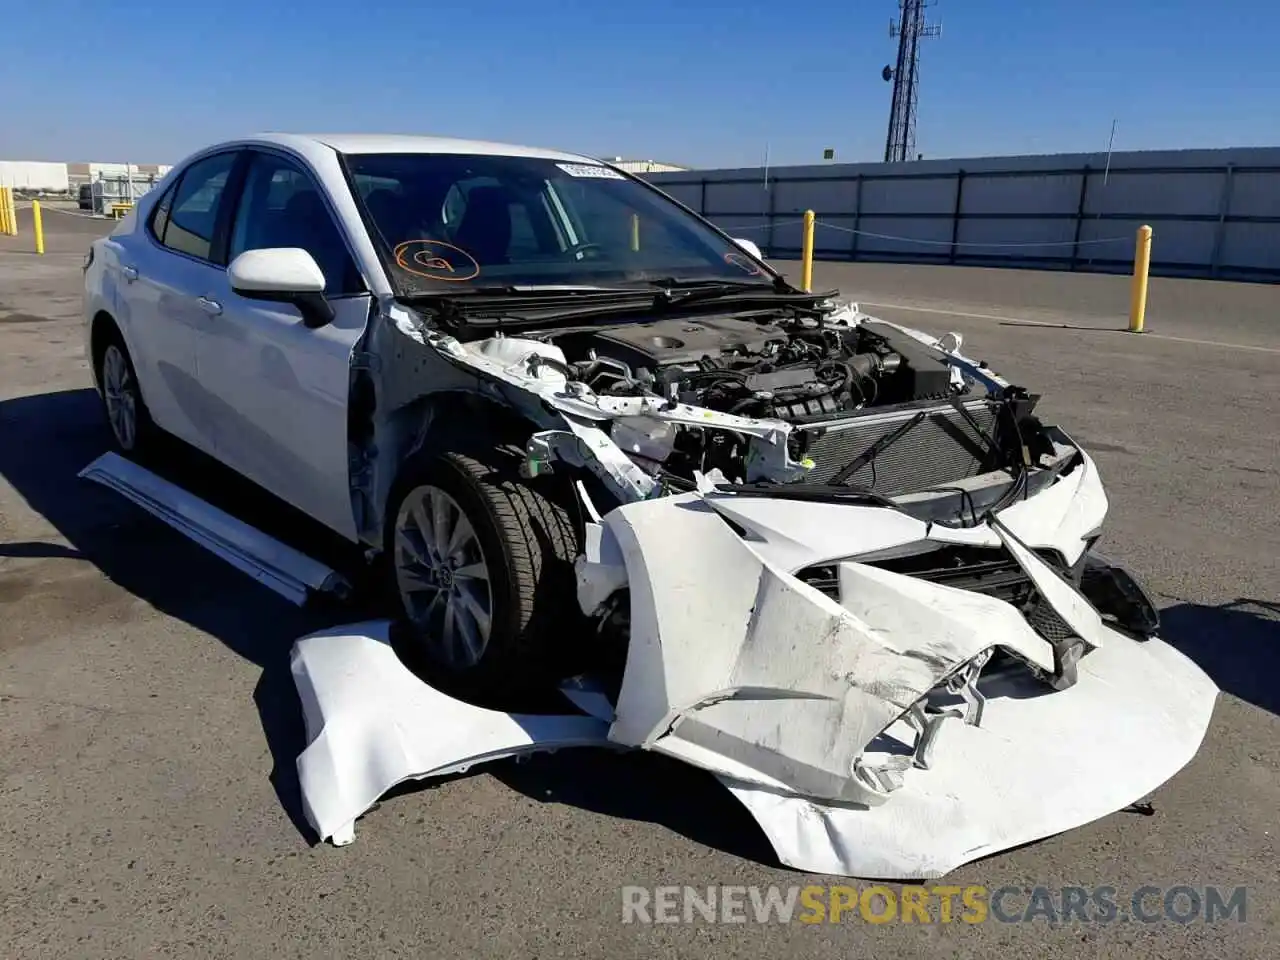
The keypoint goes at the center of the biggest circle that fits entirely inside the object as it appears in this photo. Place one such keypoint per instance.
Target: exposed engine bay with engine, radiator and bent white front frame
(689, 399)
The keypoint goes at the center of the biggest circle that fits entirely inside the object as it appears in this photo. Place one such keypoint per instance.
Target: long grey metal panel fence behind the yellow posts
(1215, 213)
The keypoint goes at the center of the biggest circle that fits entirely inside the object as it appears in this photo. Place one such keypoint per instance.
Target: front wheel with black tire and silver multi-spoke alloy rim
(523, 611)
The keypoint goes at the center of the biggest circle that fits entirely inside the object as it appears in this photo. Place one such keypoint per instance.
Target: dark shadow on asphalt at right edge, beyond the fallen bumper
(1237, 644)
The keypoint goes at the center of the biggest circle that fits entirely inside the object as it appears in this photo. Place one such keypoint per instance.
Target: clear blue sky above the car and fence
(698, 83)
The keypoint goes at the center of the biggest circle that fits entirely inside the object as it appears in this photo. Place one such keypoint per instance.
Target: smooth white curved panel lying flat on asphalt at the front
(1040, 765)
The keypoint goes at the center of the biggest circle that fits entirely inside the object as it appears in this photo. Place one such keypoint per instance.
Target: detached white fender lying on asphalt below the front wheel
(373, 724)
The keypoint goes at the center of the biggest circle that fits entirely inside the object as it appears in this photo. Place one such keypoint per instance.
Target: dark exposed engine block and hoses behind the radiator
(797, 372)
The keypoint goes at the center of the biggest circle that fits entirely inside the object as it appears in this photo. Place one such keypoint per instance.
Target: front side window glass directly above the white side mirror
(281, 207)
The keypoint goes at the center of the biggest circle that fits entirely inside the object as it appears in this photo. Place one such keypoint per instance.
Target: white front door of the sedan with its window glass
(285, 424)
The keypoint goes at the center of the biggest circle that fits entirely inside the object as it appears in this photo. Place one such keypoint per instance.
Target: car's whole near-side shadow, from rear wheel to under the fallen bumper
(47, 440)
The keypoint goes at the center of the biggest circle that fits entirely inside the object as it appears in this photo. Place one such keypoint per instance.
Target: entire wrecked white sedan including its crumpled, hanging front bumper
(828, 557)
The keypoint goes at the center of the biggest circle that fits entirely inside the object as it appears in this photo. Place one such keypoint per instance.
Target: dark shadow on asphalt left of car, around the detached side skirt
(47, 440)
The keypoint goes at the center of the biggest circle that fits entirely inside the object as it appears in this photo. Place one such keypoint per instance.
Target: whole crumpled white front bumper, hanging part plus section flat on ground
(802, 705)
